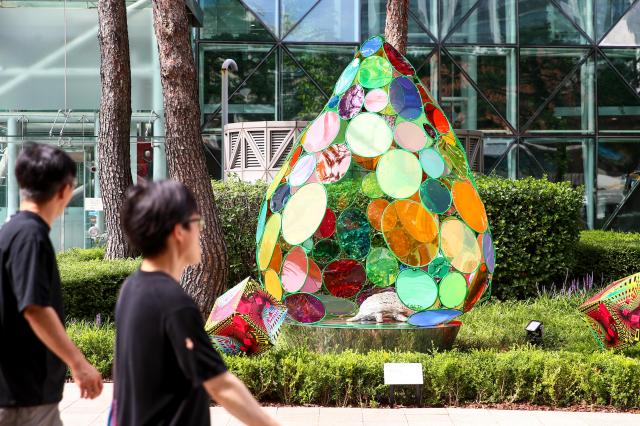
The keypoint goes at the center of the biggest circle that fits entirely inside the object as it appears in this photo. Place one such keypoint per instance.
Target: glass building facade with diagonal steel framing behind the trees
(554, 85)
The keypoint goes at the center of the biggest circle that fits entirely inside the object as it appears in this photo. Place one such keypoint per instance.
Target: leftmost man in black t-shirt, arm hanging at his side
(34, 344)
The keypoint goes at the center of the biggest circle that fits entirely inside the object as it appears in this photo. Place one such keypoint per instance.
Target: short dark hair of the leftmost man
(42, 170)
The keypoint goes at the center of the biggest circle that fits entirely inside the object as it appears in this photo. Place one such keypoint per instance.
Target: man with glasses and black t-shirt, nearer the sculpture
(165, 365)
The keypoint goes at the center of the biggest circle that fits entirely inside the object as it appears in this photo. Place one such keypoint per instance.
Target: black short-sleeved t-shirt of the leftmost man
(30, 374)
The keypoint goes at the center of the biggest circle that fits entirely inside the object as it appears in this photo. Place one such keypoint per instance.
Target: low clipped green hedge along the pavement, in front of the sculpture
(520, 375)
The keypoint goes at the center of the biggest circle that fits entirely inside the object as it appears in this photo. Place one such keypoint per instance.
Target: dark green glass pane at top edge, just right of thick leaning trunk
(230, 20)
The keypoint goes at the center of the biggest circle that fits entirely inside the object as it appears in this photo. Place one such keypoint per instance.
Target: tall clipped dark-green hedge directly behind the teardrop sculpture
(535, 224)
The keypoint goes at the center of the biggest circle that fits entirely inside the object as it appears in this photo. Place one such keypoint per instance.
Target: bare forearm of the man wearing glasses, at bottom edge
(228, 391)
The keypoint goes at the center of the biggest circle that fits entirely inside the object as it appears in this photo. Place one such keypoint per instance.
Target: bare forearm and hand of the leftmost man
(46, 325)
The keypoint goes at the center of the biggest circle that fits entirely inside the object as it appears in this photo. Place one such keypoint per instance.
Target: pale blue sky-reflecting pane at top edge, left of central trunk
(329, 21)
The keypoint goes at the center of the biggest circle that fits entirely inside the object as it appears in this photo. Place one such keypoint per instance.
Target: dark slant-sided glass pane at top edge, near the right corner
(541, 22)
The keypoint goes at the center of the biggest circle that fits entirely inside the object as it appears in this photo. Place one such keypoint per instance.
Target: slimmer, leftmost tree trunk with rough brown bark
(114, 161)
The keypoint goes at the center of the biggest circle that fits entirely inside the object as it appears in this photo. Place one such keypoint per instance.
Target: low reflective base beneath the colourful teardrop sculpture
(337, 335)
